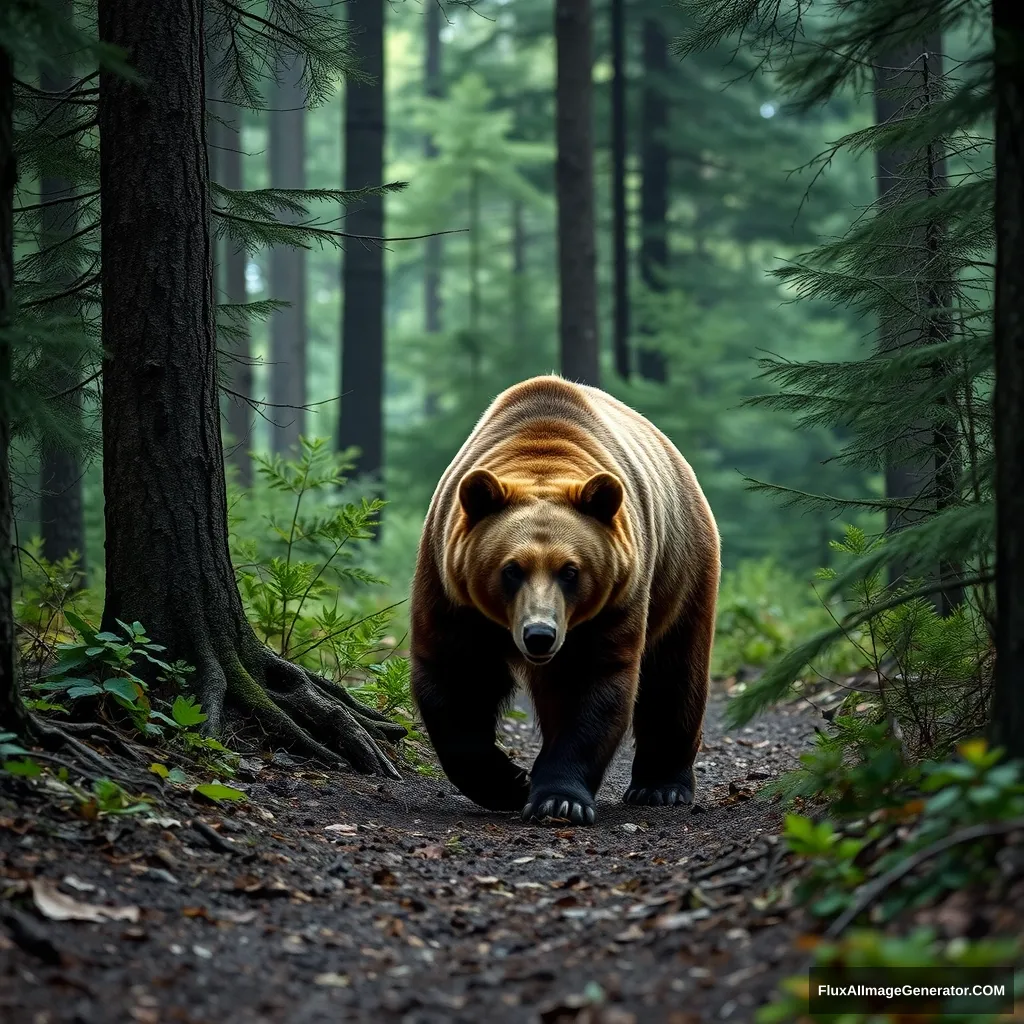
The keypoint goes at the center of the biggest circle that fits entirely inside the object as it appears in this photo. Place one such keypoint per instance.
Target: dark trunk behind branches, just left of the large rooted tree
(61, 511)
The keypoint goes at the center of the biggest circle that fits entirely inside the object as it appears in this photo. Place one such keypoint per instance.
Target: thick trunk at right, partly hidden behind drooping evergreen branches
(906, 81)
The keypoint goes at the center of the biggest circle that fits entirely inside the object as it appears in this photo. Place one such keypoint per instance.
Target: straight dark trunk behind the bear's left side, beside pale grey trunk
(362, 422)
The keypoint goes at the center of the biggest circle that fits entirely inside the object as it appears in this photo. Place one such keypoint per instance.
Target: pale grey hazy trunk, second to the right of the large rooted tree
(288, 267)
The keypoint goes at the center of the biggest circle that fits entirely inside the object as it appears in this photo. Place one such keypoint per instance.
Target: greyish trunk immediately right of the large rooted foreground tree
(234, 354)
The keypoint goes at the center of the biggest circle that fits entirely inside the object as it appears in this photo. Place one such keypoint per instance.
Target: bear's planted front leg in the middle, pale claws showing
(584, 713)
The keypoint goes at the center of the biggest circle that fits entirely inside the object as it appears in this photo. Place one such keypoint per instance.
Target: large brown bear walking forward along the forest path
(569, 548)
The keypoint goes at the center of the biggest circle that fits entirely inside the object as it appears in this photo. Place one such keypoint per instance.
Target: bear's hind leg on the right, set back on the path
(670, 711)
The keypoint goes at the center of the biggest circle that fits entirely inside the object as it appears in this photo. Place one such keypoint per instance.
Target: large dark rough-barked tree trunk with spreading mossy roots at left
(167, 558)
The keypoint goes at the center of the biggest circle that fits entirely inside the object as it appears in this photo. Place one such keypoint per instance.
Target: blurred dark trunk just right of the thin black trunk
(655, 186)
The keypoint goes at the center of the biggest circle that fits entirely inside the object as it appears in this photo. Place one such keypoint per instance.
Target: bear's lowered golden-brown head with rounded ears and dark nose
(540, 560)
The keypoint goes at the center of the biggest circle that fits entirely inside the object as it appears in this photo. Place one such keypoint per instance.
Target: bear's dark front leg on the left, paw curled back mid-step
(460, 700)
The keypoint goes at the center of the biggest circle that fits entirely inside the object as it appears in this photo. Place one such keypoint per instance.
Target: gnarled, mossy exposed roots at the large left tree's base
(308, 714)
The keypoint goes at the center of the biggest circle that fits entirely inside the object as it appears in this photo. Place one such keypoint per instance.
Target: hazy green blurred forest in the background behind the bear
(722, 185)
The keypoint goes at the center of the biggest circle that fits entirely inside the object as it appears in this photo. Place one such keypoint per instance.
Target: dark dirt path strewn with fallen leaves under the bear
(334, 899)
